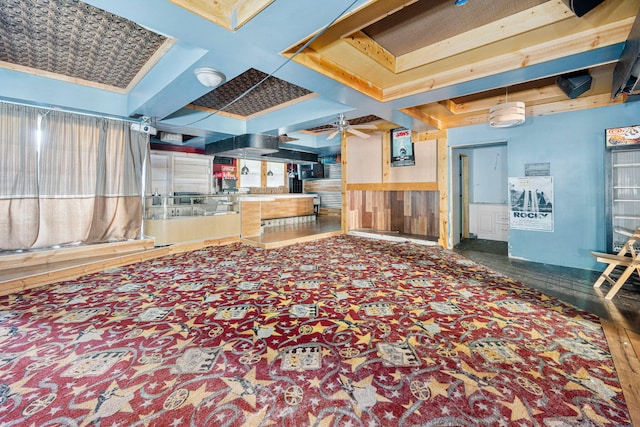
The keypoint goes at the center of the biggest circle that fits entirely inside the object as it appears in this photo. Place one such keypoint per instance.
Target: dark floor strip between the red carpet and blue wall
(571, 285)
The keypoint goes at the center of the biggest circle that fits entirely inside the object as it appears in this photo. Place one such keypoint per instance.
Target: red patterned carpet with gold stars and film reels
(344, 331)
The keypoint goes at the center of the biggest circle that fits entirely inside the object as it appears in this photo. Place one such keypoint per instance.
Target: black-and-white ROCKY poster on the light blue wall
(531, 203)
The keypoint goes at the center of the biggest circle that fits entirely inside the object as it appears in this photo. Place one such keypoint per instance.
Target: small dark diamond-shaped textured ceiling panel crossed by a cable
(270, 93)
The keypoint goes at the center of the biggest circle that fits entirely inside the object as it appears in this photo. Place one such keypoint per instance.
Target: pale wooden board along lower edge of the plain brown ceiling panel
(519, 23)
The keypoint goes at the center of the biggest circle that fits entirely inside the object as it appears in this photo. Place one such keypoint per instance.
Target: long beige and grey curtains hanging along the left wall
(88, 185)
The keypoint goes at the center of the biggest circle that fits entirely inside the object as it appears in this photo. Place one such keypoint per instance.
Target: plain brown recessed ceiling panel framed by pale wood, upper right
(426, 22)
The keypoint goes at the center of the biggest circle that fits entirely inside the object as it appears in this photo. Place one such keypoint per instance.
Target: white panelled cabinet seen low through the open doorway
(489, 221)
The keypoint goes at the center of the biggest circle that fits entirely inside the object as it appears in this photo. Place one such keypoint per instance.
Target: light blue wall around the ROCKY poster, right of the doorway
(573, 144)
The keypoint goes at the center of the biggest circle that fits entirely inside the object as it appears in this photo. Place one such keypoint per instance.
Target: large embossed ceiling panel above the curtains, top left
(74, 39)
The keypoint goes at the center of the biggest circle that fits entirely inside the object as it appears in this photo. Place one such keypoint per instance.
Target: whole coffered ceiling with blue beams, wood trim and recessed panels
(294, 66)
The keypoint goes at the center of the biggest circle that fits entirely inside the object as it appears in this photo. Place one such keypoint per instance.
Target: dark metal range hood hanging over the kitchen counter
(258, 147)
